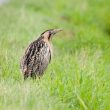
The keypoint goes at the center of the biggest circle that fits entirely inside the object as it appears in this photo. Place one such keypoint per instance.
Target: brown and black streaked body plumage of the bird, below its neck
(36, 59)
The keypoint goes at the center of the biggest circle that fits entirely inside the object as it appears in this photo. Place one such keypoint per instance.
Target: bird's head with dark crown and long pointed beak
(49, 33)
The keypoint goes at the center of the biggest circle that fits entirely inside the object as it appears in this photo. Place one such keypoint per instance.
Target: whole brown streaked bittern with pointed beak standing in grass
(38, 55)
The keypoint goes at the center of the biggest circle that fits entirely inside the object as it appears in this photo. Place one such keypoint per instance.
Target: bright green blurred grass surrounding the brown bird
(78, 77)
